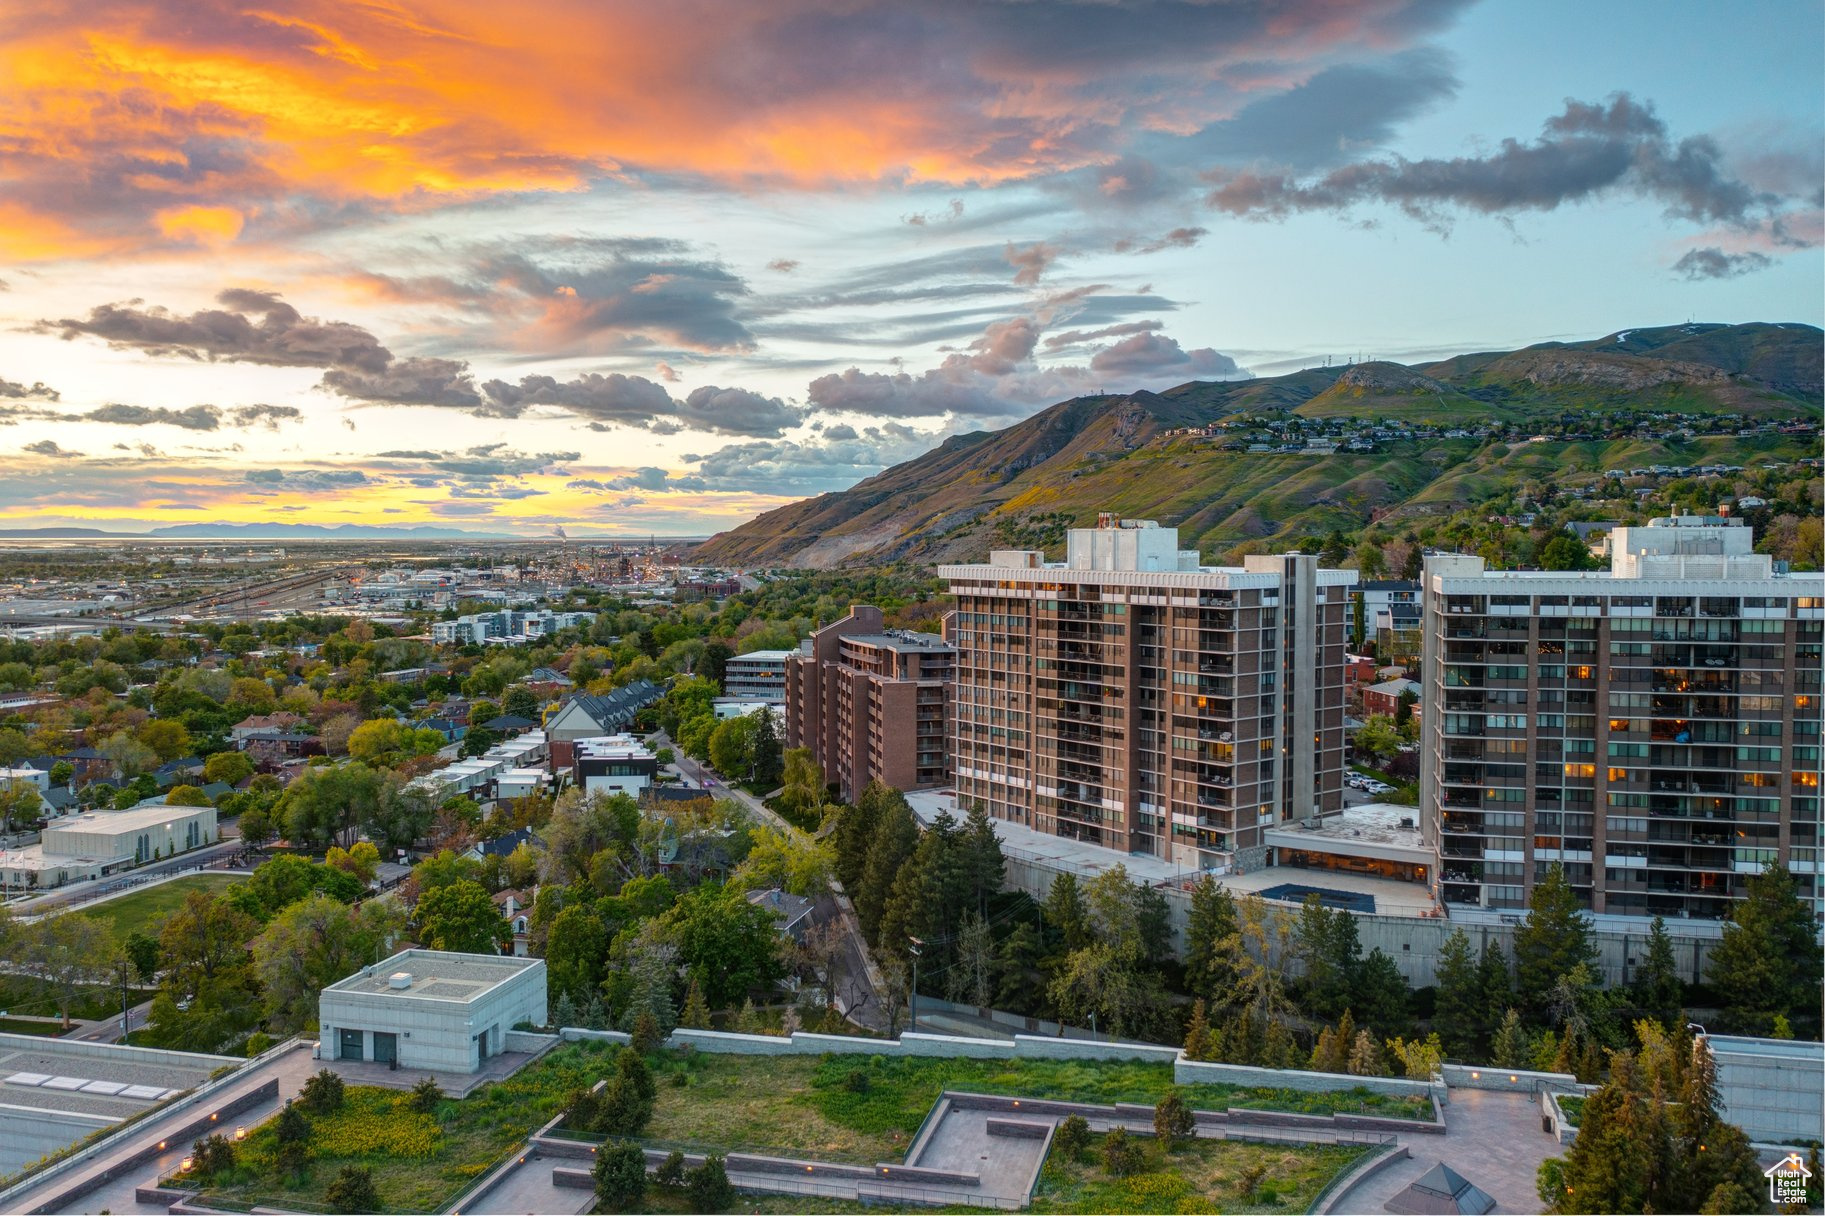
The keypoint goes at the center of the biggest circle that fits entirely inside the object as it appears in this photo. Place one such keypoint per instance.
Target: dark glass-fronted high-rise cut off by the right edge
(1654, 728)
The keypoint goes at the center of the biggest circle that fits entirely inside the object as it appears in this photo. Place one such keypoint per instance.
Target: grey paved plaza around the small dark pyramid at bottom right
(1492, 1138)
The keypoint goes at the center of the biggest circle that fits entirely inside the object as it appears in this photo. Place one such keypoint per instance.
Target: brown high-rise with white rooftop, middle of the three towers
(1138, 700)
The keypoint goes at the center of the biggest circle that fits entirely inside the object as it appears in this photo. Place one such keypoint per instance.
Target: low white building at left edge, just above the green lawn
(89, 846)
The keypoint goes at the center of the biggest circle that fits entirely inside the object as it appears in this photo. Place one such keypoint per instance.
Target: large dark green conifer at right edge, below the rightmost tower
(1768, 961)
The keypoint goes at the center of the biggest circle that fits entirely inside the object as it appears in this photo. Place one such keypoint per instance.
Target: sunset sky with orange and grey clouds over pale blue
(662, 267)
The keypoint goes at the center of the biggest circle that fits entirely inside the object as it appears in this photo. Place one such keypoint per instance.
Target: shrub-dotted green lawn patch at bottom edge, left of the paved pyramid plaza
(1198, 1177)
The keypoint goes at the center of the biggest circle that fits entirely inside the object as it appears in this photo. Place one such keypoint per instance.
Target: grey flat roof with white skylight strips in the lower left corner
(96, 1078)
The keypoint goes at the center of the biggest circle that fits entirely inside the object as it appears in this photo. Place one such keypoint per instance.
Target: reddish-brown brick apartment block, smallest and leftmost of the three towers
(871, 704)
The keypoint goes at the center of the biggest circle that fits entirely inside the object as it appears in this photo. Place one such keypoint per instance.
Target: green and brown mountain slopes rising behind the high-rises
(1134, 456)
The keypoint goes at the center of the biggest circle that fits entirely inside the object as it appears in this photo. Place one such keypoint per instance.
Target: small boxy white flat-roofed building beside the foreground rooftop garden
(432, 1011)
